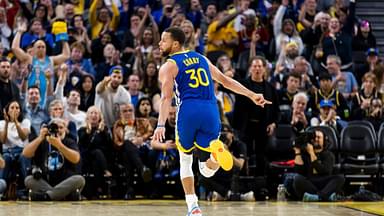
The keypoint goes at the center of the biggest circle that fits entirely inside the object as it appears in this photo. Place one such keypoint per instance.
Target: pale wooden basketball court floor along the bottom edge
(177, 207)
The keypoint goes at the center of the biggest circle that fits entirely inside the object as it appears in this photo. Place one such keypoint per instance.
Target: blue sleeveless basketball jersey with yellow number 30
(194, 80)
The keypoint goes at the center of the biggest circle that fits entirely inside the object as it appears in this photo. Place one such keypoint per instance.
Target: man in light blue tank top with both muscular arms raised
(42, 65)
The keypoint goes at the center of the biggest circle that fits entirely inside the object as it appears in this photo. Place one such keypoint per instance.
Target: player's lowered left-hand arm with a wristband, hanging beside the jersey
(166, 77)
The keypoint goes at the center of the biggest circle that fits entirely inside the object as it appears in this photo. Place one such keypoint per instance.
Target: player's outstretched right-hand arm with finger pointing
(236, 87)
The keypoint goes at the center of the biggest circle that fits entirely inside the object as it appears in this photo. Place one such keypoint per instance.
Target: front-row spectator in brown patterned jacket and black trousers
(129, 135)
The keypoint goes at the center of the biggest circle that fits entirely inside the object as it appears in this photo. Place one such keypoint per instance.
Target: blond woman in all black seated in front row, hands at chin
(95, 146)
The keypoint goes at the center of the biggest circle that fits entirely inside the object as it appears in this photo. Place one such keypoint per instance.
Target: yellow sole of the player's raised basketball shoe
(222, 155)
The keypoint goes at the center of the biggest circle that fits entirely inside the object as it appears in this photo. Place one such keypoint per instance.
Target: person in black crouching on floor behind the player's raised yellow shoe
(225, 185)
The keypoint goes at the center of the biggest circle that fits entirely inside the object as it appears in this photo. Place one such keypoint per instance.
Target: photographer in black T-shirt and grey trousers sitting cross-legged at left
(55, 156)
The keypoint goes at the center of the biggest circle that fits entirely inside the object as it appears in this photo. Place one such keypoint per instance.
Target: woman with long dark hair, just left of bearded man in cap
(87, 92)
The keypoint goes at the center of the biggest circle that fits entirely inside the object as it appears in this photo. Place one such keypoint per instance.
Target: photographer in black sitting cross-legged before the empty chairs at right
(314, 164)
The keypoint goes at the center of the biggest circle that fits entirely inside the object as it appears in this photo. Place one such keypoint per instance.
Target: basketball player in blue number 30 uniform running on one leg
(198, 123)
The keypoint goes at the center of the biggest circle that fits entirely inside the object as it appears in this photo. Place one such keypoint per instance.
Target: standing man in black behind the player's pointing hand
(254, 123)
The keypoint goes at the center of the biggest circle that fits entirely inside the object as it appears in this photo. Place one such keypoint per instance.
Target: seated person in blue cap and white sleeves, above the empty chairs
(328, 117)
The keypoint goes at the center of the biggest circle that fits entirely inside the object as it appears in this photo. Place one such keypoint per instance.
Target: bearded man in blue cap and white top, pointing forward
(110, 93)
